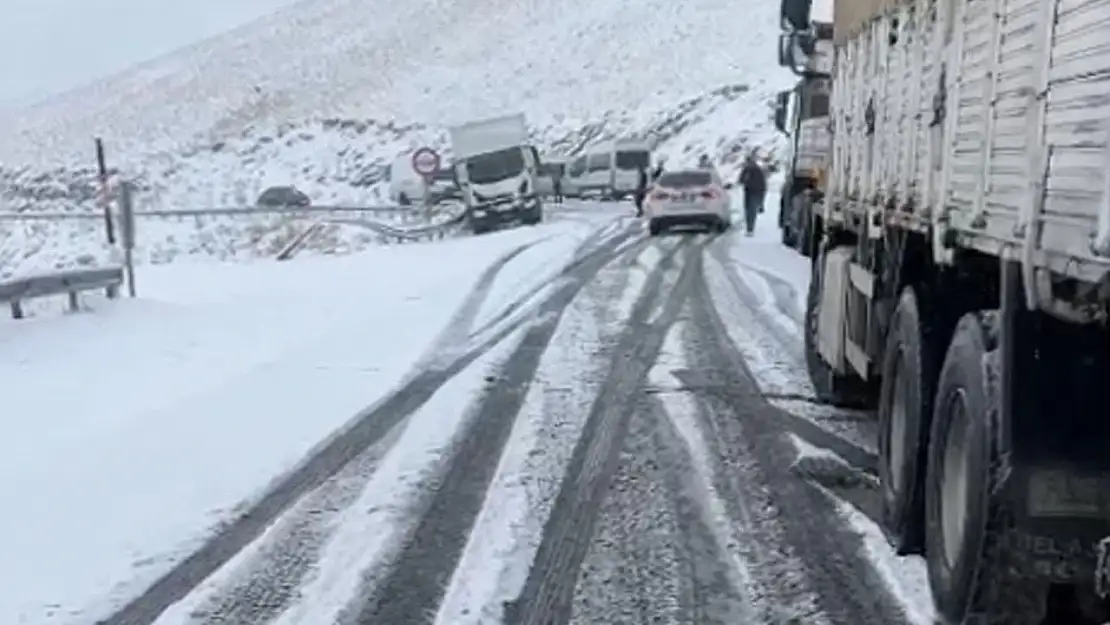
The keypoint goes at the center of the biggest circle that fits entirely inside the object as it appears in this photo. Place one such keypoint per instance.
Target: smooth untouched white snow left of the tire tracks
(219, 379)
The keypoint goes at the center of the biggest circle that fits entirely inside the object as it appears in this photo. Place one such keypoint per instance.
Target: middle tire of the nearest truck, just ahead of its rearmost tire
(910, 380)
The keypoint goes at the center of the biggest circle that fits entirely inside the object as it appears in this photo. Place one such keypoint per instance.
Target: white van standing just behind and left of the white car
(610, 170)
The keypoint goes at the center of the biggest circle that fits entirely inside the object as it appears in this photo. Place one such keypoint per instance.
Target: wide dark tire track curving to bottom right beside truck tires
(791, 520)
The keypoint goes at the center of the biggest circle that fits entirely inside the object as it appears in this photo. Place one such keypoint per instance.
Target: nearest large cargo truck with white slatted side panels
(962, 287)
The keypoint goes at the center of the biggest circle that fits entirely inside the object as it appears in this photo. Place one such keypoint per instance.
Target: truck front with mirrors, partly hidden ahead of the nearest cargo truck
(802, 114)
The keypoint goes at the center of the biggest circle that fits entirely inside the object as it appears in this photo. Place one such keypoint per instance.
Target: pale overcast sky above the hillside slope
(53, 46)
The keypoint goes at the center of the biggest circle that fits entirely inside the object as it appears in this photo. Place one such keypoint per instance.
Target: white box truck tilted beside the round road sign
(497, 169)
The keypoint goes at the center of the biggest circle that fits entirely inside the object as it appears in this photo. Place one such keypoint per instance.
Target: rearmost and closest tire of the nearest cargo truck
(966, 513)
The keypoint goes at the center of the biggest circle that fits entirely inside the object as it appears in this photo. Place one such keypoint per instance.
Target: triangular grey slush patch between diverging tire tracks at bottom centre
(654, 558)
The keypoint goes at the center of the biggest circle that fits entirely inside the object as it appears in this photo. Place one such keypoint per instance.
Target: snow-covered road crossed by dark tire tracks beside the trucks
(594, 432)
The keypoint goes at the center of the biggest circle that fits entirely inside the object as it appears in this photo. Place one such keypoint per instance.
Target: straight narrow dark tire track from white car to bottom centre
(549, 592)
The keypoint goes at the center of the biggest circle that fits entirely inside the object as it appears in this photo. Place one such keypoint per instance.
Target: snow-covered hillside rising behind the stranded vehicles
(325, 94)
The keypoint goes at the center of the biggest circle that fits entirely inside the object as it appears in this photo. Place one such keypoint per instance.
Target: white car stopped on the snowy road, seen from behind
(685, 198)
